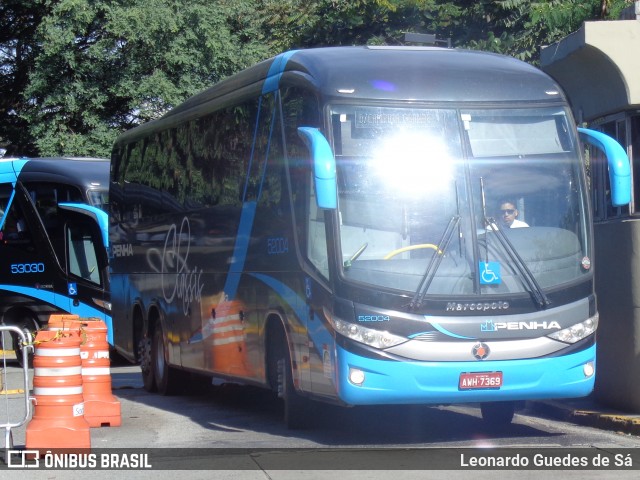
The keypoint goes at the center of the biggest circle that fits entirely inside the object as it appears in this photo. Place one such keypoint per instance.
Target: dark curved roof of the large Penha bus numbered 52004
(408, 74)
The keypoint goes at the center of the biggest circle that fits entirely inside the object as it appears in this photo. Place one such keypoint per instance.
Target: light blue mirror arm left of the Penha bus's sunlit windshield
(324, 166)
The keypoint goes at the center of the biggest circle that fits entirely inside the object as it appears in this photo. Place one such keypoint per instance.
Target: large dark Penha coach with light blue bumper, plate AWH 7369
(338, 224)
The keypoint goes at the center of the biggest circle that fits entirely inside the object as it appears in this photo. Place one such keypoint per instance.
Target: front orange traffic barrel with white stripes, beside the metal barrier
(58, 415)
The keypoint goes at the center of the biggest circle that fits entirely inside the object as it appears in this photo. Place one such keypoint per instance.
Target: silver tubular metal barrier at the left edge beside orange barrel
(10, 397)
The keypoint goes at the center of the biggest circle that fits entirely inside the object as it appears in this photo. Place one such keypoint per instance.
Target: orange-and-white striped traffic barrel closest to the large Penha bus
(101, 408)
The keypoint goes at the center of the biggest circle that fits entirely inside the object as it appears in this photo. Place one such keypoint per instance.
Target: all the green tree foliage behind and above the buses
(76, 73)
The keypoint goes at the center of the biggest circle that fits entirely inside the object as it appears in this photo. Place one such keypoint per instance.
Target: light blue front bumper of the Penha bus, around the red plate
(412, 382)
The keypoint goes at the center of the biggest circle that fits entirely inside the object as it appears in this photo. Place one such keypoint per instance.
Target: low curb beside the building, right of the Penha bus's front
(618, 422)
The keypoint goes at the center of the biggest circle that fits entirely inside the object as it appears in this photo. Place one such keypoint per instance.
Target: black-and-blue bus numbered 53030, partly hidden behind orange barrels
(53, 233)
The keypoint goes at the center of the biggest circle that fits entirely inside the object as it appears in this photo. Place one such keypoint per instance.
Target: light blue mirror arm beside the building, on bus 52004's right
(619, 168)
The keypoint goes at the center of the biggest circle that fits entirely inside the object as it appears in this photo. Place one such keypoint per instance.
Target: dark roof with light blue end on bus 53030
(86, 171)
